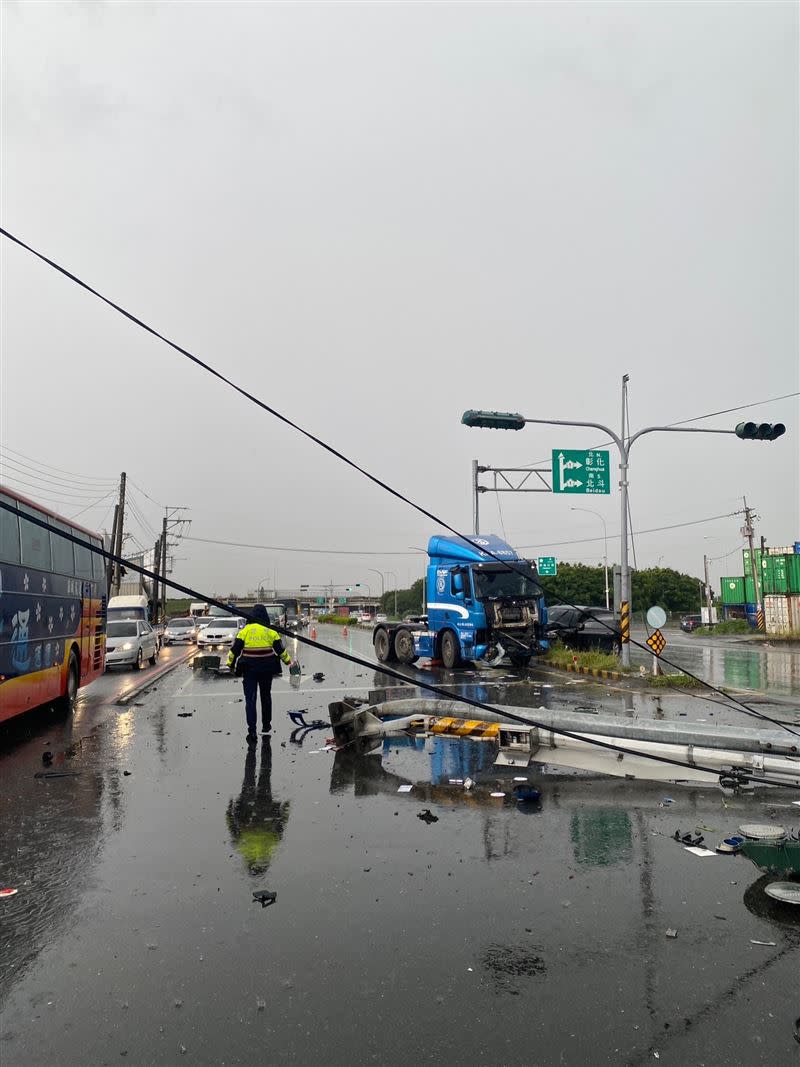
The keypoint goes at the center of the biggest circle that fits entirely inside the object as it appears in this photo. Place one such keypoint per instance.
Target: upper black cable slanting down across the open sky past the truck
(322, 443)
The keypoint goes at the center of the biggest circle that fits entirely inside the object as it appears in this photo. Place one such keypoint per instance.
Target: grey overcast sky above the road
(376, 217)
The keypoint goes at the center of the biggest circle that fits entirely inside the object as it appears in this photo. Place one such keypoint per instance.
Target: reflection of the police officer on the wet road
(255, 820)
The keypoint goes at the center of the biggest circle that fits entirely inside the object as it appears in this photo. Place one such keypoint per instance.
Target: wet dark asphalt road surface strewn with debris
(498, 935)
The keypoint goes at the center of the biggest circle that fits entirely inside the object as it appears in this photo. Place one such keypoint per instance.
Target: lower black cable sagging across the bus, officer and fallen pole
(392, 673)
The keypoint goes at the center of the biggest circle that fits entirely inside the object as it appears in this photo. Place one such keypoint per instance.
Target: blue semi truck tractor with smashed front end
(478, 609)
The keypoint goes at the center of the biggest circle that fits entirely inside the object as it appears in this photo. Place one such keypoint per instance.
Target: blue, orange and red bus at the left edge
(53, 609)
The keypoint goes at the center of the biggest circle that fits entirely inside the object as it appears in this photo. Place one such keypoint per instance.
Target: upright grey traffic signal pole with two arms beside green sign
(625, 442)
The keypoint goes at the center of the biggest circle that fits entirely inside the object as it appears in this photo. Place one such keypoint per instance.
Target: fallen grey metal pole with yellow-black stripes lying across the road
(710, 754)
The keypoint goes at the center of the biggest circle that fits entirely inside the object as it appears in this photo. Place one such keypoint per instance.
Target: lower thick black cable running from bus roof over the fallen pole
(339, 654)
